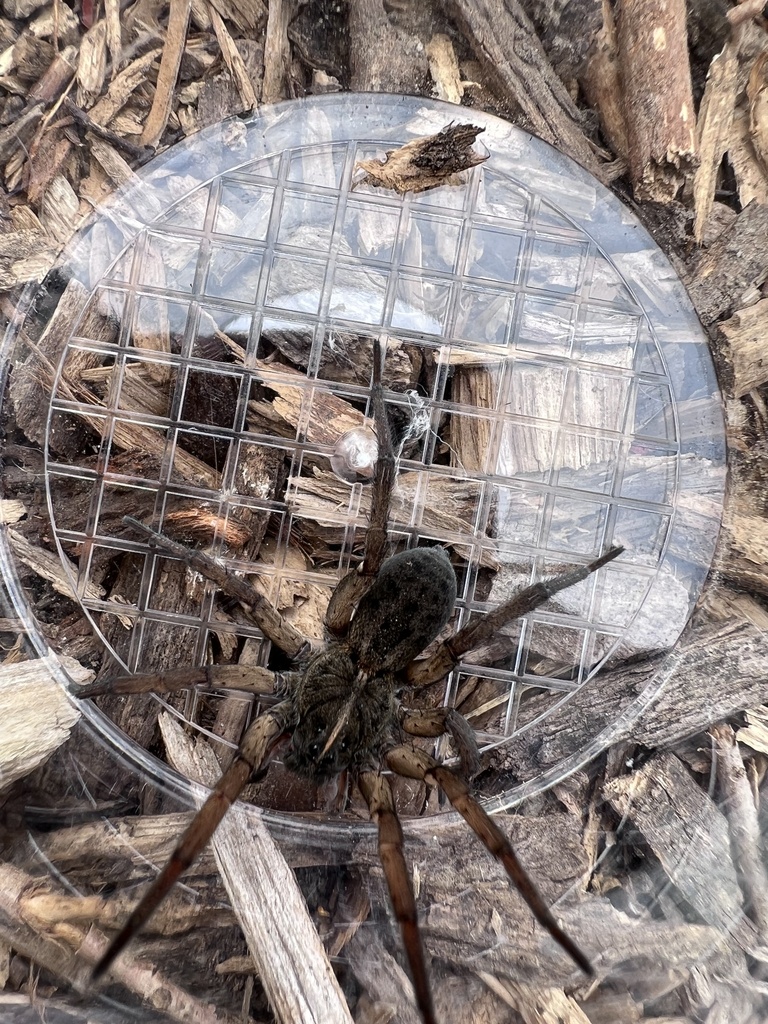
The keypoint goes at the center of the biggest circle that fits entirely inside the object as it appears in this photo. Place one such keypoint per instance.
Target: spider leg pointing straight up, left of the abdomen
(354, 586)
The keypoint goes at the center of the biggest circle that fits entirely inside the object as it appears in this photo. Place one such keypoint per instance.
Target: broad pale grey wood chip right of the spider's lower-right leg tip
(687, 833)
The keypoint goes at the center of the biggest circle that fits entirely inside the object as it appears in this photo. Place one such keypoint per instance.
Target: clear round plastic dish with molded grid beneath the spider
(550, 387)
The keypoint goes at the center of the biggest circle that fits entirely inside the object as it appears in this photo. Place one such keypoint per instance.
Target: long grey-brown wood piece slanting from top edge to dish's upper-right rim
(506, 45)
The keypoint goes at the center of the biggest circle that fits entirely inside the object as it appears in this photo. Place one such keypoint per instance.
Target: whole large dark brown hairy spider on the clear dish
(342, 713)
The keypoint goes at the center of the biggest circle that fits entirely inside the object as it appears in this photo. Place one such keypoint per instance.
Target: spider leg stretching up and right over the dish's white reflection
(449, 654)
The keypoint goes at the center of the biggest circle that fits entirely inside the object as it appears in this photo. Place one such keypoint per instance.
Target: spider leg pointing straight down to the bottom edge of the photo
(378, 795)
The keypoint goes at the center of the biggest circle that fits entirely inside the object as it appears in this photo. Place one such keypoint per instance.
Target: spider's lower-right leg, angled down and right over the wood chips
(418, 764)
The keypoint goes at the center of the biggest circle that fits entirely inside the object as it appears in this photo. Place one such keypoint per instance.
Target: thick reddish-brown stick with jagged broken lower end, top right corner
(658, 96)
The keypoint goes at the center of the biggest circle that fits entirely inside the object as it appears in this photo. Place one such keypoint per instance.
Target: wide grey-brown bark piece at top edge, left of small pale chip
(383, 58)
